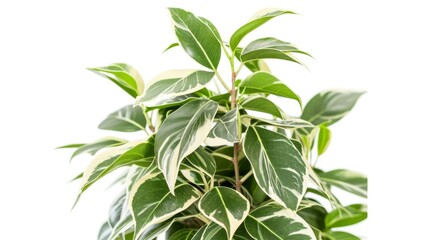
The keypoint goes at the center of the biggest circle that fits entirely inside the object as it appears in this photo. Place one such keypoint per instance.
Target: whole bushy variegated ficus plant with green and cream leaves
(223, 163)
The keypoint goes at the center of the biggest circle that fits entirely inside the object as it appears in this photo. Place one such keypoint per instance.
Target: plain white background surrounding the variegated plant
(48, 98)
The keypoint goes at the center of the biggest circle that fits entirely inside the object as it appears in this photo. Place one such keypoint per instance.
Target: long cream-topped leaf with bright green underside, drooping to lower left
(139, 152)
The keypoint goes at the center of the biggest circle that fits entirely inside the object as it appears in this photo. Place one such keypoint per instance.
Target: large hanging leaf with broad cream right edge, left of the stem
(182, 132)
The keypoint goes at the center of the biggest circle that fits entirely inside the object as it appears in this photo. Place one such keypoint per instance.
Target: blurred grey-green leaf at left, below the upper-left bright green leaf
(126, 119)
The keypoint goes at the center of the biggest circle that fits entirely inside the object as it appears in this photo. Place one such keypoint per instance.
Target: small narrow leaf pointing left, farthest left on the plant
(97, 145)
